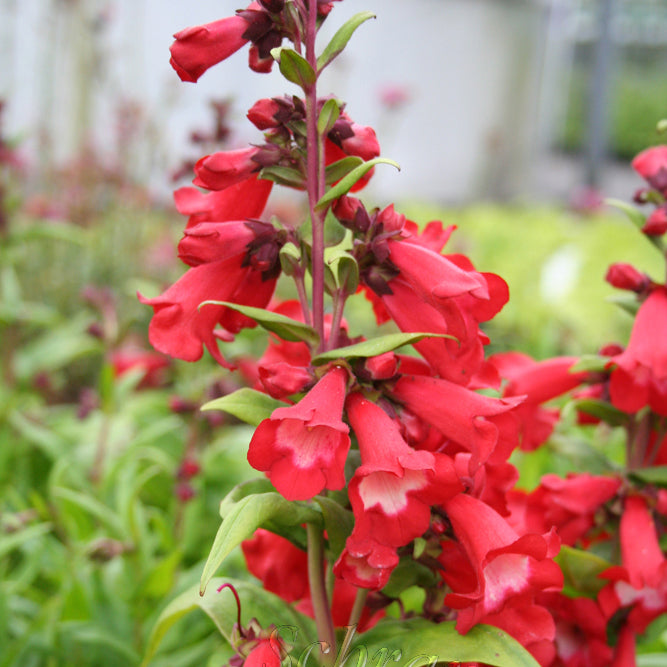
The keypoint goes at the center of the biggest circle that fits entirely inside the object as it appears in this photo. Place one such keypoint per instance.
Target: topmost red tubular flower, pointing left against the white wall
(198, 48)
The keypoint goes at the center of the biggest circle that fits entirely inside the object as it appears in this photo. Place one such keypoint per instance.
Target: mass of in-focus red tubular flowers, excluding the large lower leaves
(409, 444)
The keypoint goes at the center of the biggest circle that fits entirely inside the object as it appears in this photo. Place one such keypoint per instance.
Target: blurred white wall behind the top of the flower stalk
(472, 68)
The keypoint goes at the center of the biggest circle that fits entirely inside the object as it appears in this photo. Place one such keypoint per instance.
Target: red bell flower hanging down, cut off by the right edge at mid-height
(640, 374)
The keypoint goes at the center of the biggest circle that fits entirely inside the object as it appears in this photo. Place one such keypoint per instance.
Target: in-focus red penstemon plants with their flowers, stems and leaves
(386, 471)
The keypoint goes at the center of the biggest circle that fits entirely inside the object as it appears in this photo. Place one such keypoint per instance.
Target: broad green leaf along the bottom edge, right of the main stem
(421, 642)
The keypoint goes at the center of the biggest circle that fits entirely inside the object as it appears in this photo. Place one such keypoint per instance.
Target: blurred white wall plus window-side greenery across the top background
(491, 99)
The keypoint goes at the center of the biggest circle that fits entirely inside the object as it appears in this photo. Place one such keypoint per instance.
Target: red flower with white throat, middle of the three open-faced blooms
(393, 489)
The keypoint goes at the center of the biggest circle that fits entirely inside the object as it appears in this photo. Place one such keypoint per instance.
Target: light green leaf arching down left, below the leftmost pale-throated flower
(261, 510)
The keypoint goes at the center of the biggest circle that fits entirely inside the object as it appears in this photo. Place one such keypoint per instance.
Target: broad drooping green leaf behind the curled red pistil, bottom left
(221, 609)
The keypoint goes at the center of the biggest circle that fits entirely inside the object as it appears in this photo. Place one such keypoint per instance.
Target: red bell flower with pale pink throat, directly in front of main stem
(303, 448)
